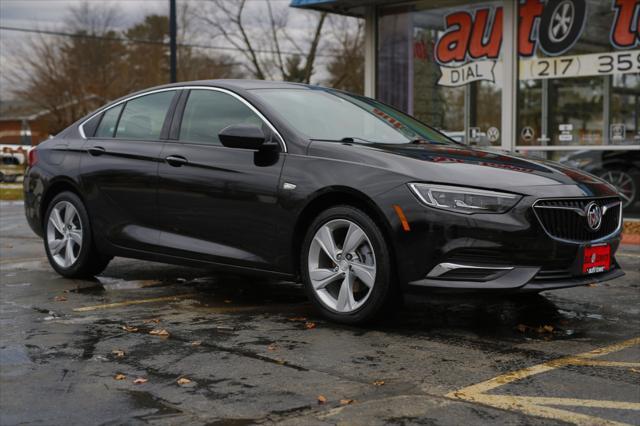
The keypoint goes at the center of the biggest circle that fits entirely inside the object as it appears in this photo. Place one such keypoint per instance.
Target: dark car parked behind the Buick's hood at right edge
(621, 168)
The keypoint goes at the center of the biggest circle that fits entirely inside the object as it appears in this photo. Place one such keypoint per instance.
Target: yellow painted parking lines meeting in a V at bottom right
(539, 406)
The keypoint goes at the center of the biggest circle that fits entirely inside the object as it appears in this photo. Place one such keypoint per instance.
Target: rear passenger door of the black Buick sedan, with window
(120, 168)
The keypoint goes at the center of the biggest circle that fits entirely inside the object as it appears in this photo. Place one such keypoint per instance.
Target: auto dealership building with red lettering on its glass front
(558, 79)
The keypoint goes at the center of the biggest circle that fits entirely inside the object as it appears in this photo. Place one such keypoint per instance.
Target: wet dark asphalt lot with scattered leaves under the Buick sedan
(253, 351)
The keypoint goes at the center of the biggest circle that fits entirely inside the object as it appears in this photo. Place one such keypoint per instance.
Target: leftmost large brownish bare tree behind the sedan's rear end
(70, 76)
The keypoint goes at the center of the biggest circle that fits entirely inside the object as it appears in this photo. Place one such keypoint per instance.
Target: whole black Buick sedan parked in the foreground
(358, 200)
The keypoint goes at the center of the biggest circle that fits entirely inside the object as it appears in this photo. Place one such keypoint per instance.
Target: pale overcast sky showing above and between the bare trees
(50, 15)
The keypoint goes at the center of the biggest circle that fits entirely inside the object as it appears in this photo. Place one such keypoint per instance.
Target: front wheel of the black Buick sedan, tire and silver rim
(345, 265)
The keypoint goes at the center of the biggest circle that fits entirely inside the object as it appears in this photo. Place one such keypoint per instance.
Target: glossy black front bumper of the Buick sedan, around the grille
(515, 245)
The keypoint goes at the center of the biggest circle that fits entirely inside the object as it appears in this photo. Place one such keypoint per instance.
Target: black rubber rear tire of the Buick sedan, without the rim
(89, 261)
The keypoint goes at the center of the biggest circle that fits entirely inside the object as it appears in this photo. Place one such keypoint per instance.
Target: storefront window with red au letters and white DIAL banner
(442, 66)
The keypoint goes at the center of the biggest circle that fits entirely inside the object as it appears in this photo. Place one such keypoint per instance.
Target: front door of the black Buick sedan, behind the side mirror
(216, 203)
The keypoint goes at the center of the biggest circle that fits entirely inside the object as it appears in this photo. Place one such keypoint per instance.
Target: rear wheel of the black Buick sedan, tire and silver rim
(68, 241)
